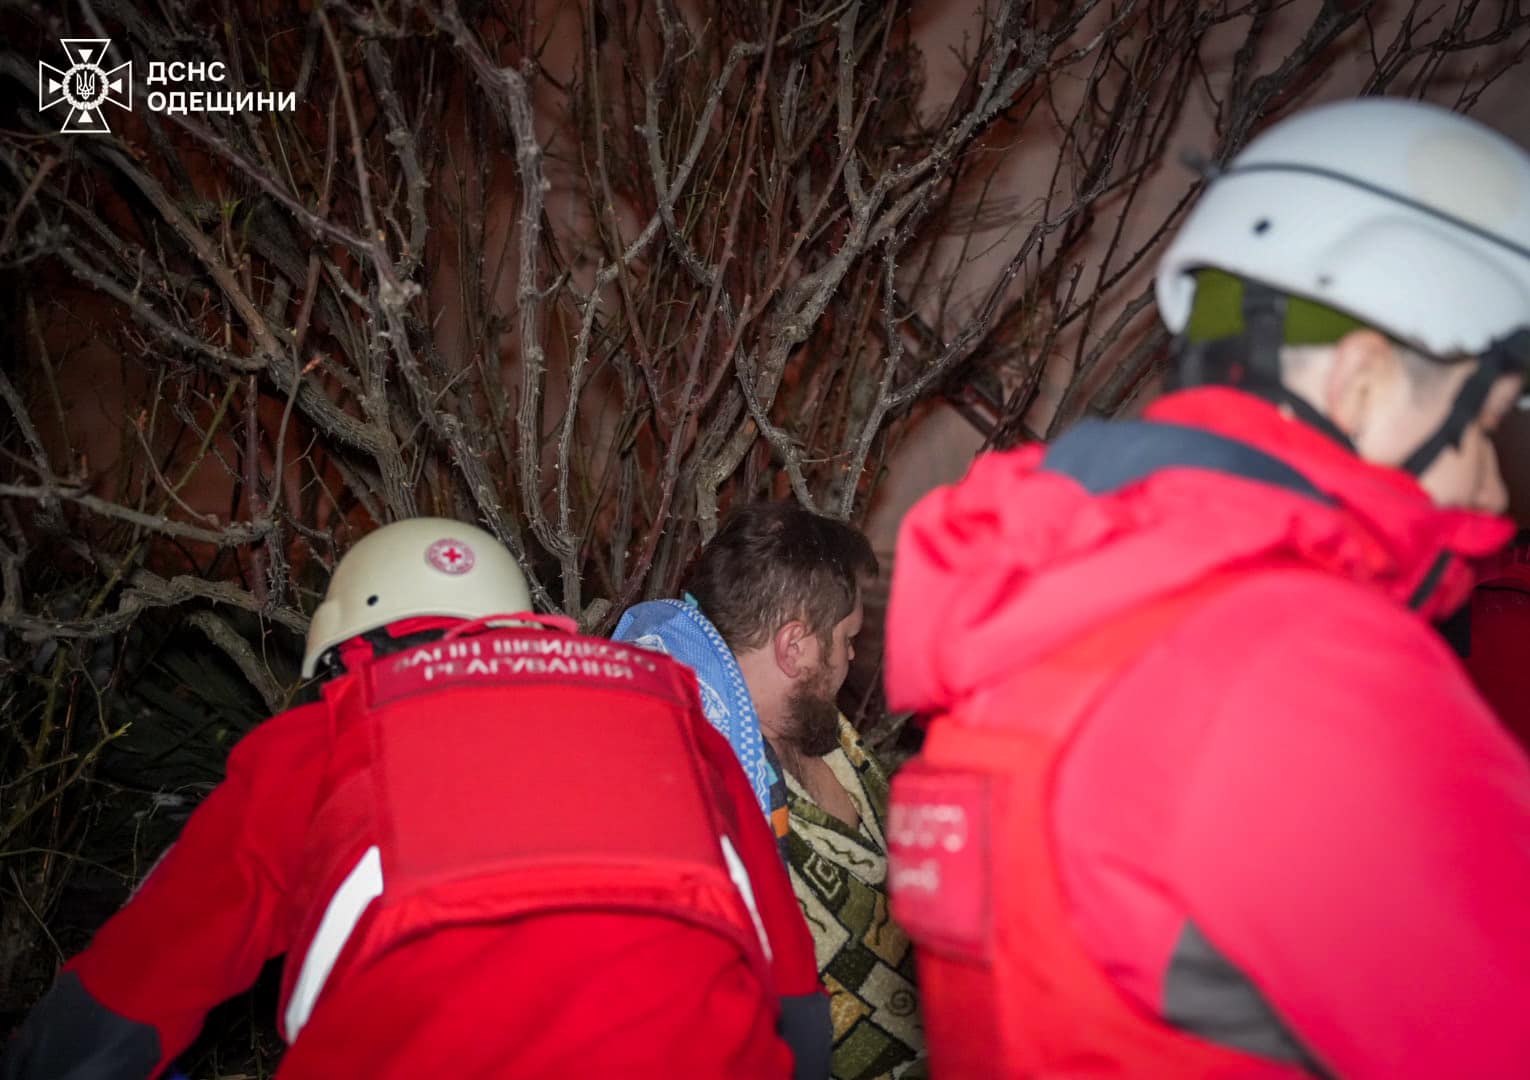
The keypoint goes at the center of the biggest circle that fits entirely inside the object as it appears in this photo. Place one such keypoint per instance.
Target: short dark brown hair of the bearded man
(772, 564)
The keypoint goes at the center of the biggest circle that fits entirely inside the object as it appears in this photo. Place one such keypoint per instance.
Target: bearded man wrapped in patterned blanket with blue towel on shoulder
(769, 622)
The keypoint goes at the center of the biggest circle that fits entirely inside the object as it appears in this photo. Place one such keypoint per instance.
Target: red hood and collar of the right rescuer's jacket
(1015, 561)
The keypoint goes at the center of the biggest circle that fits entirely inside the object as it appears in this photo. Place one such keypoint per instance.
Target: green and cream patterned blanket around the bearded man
(867, 963)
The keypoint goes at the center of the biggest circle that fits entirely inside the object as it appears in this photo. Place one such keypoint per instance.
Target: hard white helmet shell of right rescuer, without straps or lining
(1410, 218)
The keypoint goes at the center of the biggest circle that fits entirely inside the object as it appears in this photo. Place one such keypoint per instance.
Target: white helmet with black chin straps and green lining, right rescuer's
(1384, 213)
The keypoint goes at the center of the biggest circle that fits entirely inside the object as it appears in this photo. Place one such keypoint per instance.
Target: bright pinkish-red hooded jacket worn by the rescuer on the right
(1291, 827)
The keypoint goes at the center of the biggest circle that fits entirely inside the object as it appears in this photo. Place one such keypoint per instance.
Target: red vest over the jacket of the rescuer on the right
(1006, 986)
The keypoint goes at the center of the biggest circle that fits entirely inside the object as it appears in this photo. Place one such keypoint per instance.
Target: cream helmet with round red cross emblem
(422, 567)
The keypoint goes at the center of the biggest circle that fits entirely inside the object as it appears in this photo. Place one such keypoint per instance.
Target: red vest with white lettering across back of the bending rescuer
(509, 773)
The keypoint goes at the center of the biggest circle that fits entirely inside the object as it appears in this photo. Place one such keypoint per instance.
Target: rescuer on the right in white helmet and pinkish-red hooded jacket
(1205, 793)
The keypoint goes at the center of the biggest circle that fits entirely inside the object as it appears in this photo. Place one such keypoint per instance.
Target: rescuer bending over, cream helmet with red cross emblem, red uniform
(492, 850)
